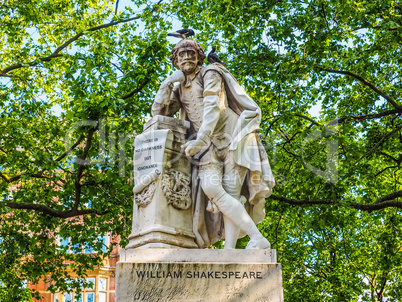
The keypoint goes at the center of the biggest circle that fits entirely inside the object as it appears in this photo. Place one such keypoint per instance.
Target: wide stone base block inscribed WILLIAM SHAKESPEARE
(198, 275)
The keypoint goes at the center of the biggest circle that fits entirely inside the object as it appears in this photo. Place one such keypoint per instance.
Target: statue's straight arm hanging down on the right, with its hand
(212, 90)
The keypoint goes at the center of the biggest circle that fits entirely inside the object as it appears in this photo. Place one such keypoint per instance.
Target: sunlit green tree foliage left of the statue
(76, 80)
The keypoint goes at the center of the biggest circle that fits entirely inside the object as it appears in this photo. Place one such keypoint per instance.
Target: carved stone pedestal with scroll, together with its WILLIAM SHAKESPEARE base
(162, 261)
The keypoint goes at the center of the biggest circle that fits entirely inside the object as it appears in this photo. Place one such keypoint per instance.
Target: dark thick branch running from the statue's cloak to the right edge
(382, 203)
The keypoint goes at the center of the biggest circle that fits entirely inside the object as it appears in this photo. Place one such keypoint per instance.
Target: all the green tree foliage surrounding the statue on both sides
(334, 216)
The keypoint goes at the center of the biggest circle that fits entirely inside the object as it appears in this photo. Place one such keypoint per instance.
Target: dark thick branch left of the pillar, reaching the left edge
(52, 212)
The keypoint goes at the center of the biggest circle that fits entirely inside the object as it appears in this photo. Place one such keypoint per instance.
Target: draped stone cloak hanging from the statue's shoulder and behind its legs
(248, 152)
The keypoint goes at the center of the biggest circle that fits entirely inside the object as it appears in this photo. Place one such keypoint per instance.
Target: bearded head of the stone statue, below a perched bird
(186, 55)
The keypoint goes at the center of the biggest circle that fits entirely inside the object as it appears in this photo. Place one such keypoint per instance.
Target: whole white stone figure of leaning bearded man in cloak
(231, 176)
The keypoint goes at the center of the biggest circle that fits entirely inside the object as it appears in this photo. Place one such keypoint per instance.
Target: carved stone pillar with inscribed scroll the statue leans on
(162, 215)
